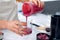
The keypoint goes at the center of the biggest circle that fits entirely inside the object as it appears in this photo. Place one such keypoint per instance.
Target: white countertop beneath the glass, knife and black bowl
(39, 19)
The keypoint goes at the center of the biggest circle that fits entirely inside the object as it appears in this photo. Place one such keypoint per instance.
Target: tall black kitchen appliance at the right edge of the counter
(55, 27)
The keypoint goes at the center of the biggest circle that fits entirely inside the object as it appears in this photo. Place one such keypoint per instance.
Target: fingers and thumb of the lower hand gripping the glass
(19, 29)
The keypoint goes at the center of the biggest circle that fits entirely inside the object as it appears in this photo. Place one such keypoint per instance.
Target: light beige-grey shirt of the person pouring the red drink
(8, 10)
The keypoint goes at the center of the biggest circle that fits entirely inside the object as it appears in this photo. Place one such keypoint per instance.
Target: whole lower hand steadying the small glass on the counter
(16, 27)
